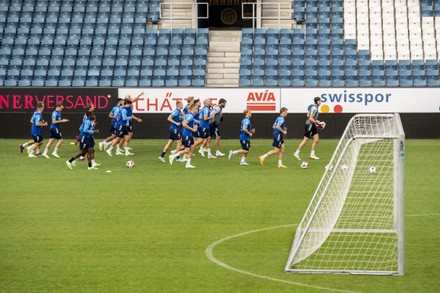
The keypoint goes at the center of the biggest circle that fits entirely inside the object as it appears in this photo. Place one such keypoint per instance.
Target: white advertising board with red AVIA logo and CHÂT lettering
(163, 100)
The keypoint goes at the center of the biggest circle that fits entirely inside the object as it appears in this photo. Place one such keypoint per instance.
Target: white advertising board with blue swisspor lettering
(363, 100)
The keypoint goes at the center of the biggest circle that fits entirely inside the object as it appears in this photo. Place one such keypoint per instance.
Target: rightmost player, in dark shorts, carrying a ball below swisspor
(311, 130)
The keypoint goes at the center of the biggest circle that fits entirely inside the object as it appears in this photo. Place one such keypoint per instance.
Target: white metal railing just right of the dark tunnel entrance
(257, 9)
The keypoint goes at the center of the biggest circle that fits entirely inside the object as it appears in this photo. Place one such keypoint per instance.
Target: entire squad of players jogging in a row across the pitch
(191, 126)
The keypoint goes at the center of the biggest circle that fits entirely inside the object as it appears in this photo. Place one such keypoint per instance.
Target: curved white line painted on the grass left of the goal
(210, 255)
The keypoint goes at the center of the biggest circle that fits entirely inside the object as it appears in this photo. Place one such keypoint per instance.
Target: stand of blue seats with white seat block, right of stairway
(347, 43)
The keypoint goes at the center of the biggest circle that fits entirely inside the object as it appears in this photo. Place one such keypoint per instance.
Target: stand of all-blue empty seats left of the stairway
(96, 43)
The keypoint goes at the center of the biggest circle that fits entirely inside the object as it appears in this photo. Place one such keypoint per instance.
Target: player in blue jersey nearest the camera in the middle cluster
(189, 127)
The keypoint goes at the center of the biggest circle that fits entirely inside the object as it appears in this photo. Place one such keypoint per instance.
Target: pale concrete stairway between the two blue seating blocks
(223, 59)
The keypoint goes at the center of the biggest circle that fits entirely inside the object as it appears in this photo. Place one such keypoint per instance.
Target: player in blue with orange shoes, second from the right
(279, 129)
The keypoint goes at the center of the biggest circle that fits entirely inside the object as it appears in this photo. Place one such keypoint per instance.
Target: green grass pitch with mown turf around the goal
(151, 228)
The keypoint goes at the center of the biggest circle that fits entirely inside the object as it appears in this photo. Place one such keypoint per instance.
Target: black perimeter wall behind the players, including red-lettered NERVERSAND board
(18, 104)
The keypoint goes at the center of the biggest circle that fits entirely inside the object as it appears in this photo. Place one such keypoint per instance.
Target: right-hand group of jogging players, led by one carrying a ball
(193, 126)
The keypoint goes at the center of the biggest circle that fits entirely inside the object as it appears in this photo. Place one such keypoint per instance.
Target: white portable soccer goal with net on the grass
(354, 222)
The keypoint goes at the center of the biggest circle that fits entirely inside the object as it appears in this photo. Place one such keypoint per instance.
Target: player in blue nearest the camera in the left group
(86, 142)
